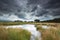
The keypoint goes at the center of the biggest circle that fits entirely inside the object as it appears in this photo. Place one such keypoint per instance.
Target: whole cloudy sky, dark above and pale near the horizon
(29, 10)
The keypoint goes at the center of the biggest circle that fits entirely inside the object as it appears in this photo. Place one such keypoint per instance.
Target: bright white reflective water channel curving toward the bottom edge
(35, 35)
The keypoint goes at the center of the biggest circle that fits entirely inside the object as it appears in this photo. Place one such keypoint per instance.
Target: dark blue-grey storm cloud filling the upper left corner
(7, 6)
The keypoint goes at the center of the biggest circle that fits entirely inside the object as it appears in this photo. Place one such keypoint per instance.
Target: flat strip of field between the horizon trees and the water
(35, 23)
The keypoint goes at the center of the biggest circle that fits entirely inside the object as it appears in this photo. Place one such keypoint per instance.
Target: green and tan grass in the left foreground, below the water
(14, 34)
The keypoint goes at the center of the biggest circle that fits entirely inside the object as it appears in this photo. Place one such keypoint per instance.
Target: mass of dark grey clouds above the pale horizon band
(22, 7)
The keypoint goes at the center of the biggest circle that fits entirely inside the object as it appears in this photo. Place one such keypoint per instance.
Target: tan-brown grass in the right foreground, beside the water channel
(49, 34)
